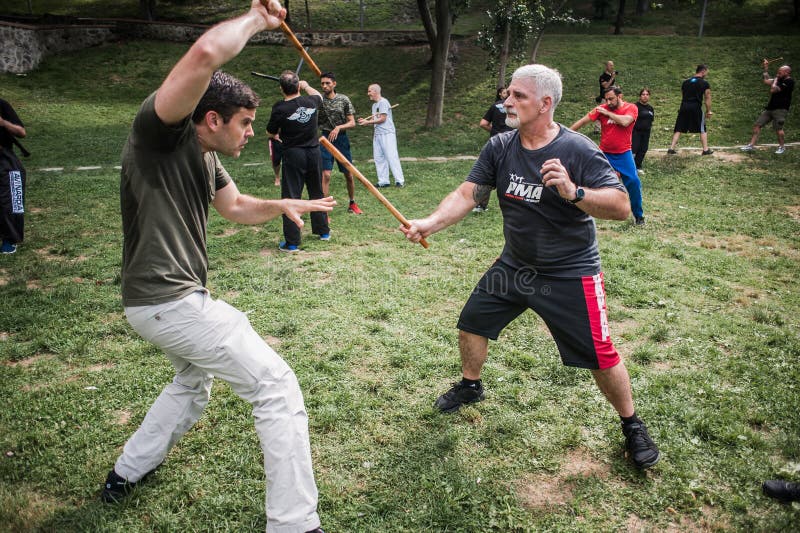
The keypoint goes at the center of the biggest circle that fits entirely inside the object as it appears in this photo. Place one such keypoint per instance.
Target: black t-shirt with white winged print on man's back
(296, 121)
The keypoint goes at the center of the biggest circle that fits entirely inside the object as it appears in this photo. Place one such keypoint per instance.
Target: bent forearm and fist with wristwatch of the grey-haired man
(608, 203)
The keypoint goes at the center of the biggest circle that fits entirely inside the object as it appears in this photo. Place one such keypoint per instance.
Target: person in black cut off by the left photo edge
(12, 186)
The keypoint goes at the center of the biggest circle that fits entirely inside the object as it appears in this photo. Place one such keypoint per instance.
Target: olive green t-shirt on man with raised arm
(167, 184)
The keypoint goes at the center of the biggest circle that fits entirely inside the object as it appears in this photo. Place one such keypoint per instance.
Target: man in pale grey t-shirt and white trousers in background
(384, 141)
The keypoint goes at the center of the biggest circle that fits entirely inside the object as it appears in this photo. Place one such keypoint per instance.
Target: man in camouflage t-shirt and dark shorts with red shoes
(336, 116)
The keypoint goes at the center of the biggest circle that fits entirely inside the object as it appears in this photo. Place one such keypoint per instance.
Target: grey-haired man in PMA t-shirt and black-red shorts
(551, 182)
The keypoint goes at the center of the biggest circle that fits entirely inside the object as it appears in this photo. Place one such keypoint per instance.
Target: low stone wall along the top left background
(25, 45)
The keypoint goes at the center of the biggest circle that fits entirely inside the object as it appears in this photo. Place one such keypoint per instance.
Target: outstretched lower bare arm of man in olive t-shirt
(245, 209)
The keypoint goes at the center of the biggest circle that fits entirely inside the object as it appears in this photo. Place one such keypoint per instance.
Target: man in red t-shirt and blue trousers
(617, 118)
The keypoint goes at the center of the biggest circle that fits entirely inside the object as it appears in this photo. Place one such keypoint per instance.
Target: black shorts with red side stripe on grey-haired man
(574, 310)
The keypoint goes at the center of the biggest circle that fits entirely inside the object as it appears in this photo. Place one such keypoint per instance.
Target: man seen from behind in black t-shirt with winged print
(295, 119)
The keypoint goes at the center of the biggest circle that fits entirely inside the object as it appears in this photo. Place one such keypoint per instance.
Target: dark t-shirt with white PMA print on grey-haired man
(542, 230)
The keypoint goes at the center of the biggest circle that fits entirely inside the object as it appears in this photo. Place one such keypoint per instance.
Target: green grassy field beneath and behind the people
(703, 305)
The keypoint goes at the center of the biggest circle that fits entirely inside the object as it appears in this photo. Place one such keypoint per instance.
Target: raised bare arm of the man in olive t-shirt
(185, 84)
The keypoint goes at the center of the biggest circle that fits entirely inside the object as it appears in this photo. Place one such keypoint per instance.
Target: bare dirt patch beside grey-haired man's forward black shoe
(543, 491)
